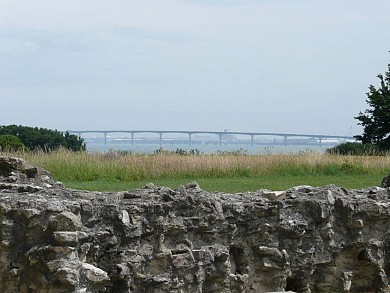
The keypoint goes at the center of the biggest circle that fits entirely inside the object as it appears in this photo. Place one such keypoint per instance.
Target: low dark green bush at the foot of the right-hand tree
(356, 149)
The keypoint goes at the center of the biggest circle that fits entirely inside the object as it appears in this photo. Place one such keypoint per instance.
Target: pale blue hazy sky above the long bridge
(239, 65)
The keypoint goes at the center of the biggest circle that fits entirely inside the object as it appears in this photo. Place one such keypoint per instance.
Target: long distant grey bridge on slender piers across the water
(220, 134)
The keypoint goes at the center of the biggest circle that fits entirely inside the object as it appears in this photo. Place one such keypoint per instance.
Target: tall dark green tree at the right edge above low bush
(376, 119)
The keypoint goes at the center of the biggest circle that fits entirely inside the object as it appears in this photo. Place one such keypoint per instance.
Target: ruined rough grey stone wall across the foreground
(187, 240)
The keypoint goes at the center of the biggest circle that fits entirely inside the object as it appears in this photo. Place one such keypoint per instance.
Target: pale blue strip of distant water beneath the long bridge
(208, 148)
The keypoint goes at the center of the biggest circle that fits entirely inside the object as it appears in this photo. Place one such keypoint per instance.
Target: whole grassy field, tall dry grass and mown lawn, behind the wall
(220, 172)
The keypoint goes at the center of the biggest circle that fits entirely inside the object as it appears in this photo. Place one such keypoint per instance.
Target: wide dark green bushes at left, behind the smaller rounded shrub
(44, 139)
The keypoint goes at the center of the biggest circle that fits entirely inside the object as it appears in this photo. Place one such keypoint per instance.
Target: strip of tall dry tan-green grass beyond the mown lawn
(83, 166)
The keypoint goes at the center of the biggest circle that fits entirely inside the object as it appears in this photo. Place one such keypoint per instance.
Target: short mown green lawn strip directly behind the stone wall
(238, 184)
